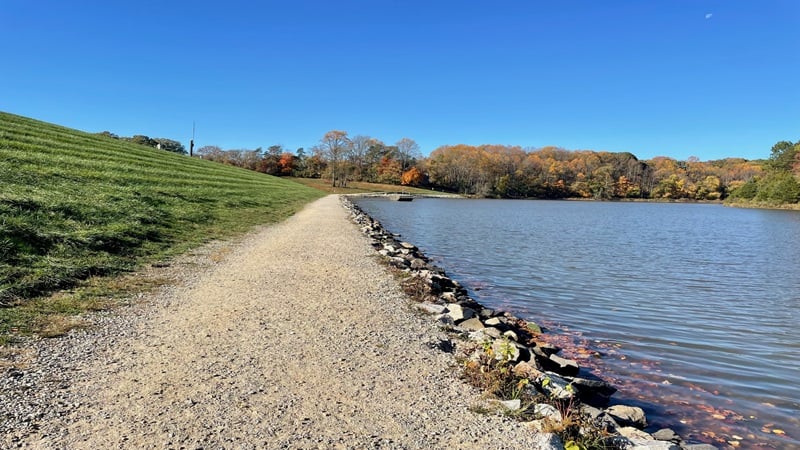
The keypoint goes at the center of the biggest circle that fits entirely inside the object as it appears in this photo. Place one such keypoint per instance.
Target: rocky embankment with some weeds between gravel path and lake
(483, 331)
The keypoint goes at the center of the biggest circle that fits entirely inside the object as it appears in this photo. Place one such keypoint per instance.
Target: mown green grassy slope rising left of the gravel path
(74, 205)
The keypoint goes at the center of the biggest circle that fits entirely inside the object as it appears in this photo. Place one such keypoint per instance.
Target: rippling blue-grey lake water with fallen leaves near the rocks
(693, 307)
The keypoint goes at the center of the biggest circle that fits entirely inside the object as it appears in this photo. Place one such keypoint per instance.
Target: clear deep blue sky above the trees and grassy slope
(679, 78)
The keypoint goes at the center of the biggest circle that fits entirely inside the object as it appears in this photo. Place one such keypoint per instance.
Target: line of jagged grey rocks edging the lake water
(539, 362)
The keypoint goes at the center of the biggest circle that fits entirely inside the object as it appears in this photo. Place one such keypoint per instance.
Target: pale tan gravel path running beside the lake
(296, 338)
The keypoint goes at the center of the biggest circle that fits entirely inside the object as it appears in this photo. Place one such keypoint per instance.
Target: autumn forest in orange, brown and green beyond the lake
(502, 171)
